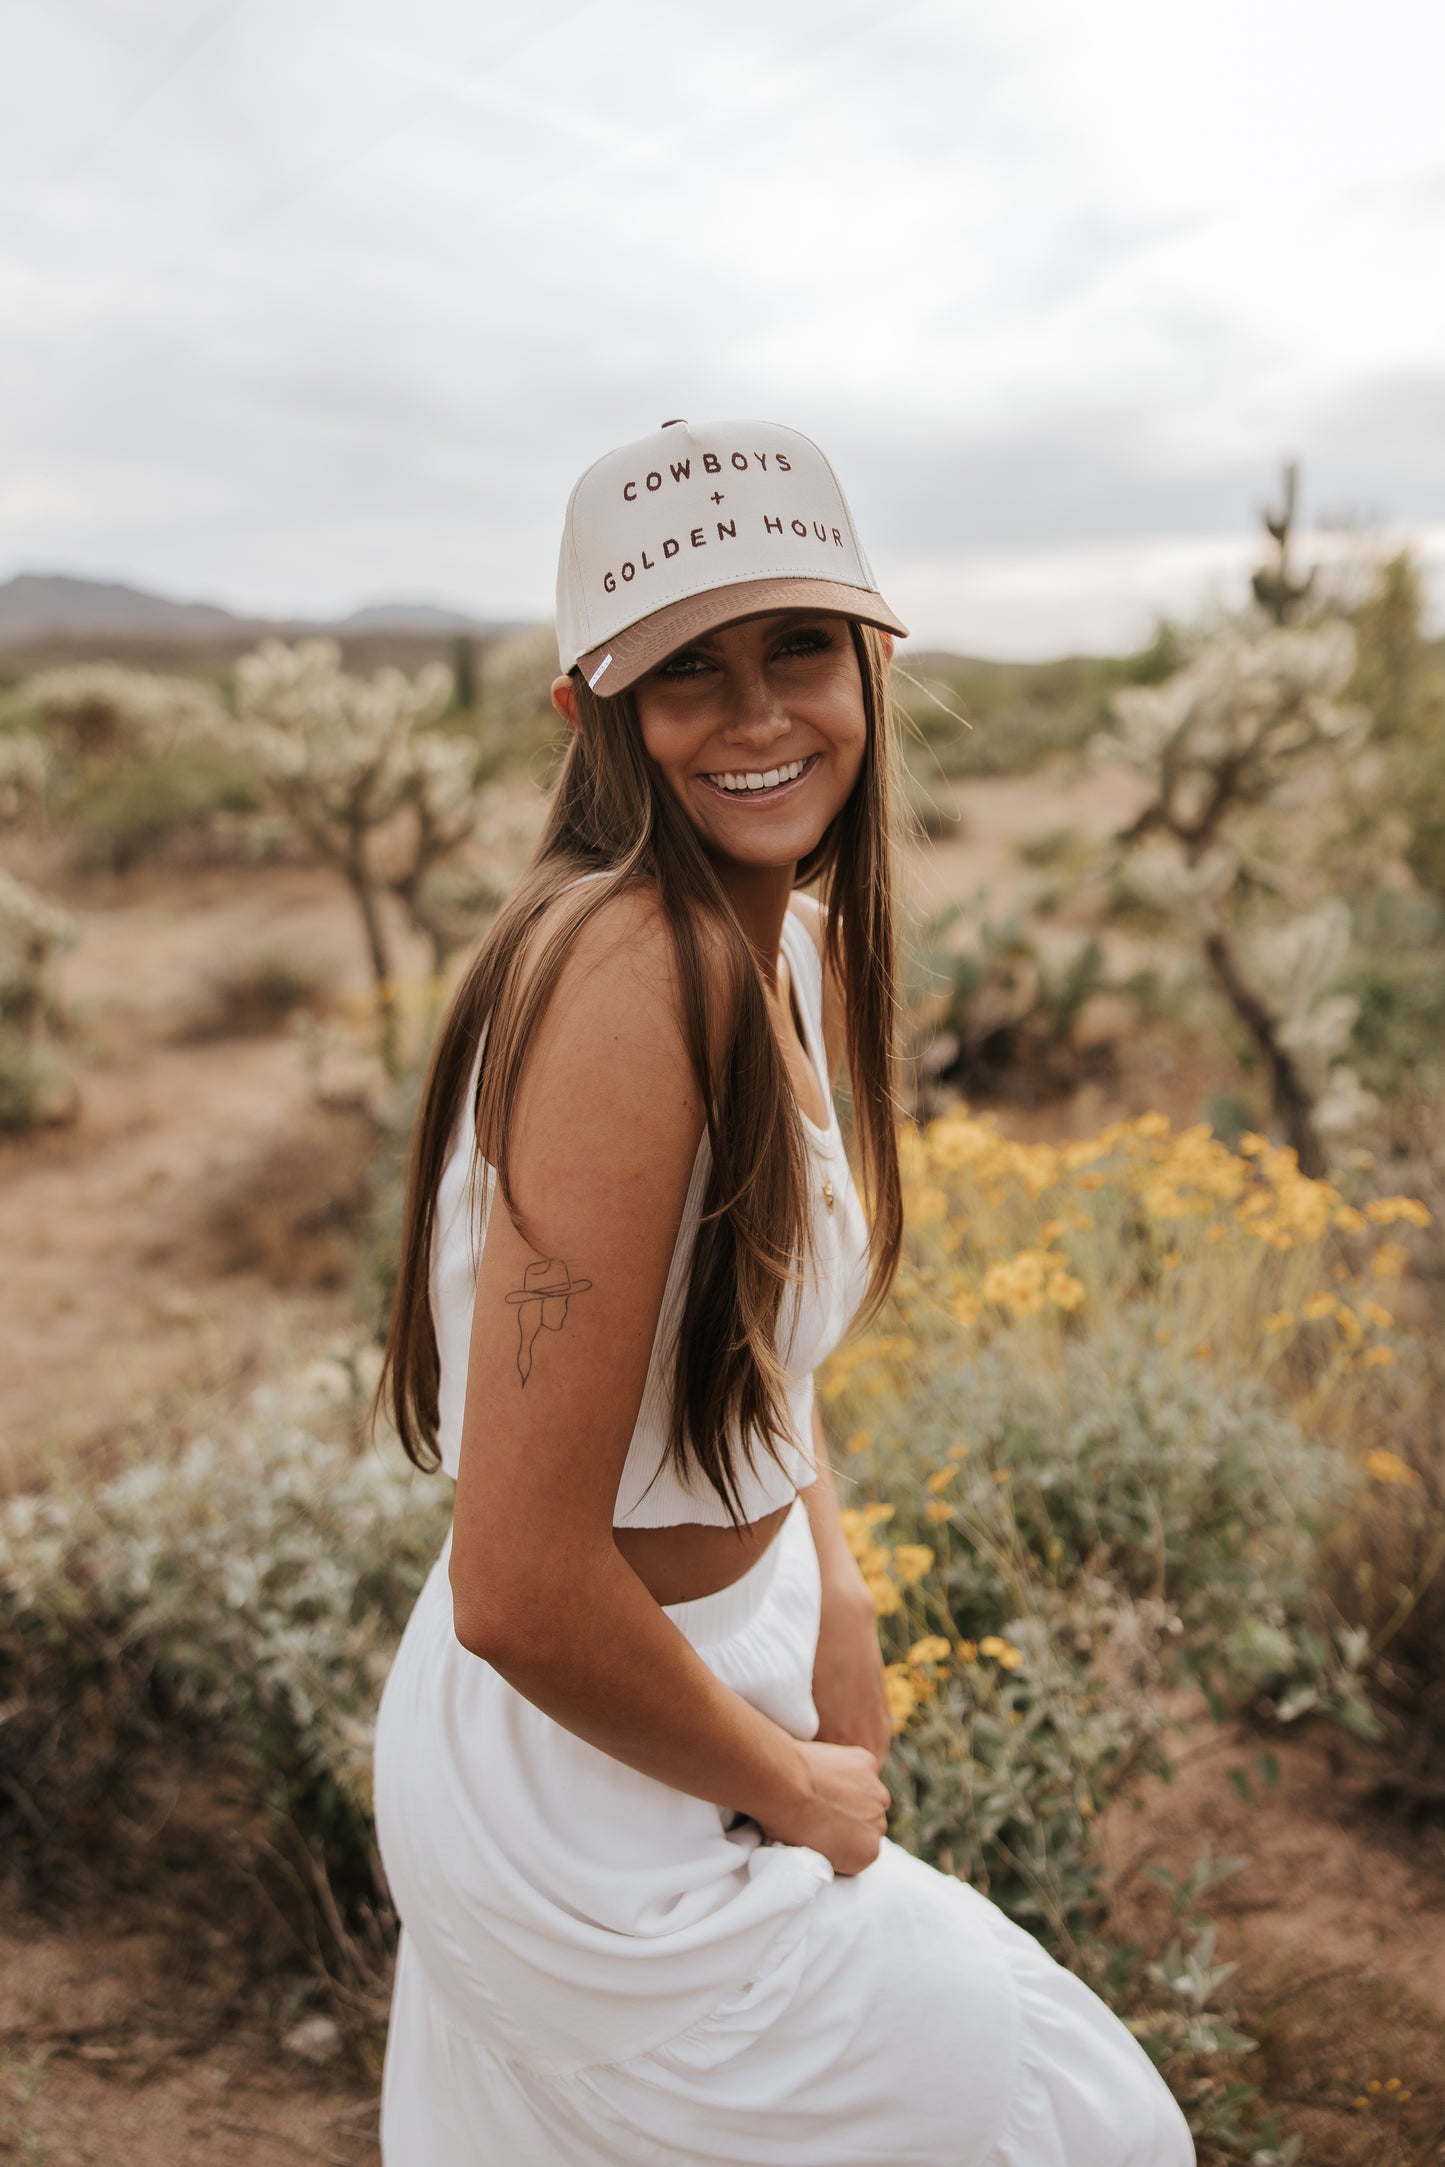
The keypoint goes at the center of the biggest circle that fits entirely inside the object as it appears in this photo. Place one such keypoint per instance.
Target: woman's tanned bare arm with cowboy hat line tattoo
(606, 1143)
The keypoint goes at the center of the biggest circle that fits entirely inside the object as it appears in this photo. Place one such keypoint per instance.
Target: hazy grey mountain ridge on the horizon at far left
(53, 606)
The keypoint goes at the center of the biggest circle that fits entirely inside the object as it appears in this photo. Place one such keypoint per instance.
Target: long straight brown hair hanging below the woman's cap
(612, 814)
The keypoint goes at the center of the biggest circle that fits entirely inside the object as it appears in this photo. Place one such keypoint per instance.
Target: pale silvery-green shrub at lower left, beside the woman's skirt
(242, 1600)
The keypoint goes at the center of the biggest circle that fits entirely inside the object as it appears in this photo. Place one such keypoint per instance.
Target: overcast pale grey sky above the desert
(320, 302)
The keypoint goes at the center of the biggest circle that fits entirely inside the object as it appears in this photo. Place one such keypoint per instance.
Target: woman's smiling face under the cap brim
(759, 729)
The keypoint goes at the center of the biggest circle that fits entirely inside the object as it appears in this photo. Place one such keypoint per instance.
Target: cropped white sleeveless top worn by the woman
(816, 1314)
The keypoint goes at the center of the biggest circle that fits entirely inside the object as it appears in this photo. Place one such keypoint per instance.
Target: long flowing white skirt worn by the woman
(599, 1971)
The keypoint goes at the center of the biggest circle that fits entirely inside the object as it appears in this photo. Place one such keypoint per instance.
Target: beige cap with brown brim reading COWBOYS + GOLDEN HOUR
(692, 528)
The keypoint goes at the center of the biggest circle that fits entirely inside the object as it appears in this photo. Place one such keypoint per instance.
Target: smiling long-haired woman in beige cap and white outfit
(629, 1754)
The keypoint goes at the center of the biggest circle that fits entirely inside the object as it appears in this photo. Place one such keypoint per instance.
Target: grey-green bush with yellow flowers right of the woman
(1104, 1442)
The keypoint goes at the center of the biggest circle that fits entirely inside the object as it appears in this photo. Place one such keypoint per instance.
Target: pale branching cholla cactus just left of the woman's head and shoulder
(352, 760)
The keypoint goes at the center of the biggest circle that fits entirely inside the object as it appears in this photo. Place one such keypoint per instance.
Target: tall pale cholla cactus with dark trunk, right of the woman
(1253, 710)
